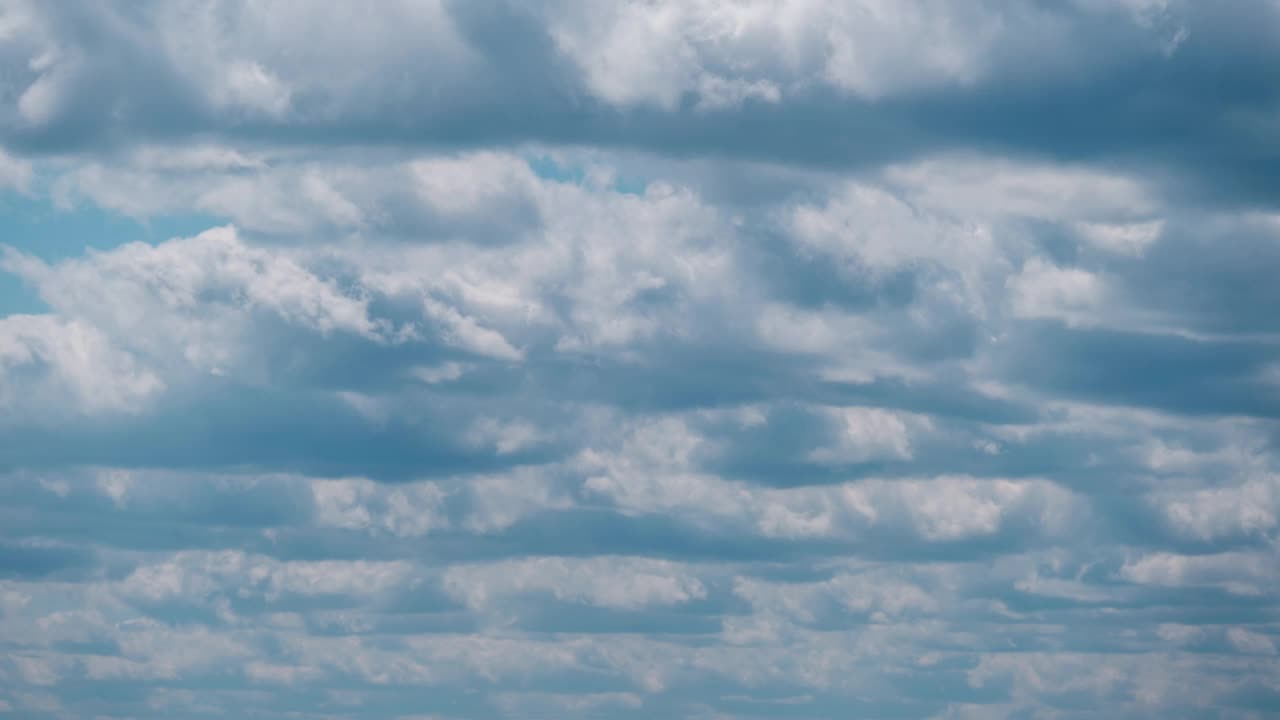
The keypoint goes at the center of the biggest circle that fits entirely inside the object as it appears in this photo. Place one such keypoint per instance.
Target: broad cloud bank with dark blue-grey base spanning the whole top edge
(665, 76)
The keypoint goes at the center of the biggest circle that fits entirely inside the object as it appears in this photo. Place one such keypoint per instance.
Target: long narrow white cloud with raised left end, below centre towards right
(652, 473)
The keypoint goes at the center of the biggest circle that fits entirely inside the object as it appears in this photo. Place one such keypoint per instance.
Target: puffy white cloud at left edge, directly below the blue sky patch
(184, 303)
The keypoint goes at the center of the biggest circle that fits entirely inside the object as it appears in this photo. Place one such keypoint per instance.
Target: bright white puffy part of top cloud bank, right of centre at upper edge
(729, 52)
